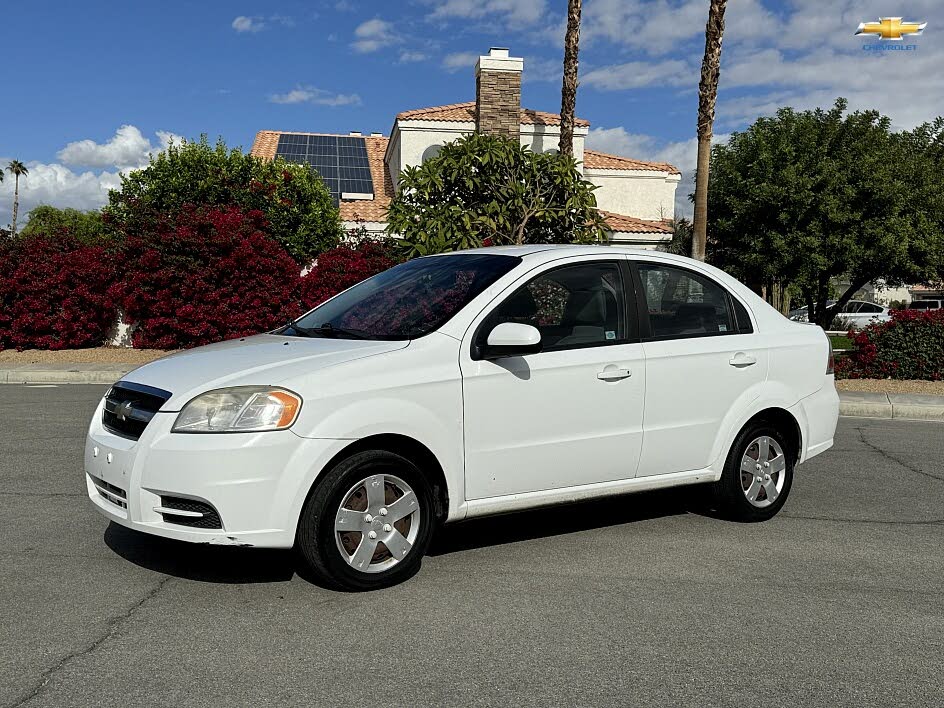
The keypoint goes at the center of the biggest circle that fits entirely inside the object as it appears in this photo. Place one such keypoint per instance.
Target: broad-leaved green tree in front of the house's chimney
(489, 189)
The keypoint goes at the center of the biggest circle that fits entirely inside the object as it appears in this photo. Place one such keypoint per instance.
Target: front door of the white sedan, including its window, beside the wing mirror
(570, 414)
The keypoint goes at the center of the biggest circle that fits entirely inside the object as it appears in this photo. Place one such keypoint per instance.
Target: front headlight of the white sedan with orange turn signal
(241, 409)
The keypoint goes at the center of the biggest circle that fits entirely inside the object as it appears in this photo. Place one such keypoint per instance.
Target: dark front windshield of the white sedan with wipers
(407, 301)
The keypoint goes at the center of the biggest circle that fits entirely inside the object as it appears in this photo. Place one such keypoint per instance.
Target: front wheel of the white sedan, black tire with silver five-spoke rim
(347, 523)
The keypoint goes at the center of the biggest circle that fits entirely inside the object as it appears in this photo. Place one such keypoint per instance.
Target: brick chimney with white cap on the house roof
(498, 93)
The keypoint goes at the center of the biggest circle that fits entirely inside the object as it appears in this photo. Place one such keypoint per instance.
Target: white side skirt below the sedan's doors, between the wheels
(549, 497)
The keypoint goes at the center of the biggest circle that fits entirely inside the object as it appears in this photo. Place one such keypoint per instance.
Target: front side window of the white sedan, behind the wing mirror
(573, 306)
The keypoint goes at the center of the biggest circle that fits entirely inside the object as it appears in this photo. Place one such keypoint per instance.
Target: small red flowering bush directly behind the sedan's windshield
(341, 267)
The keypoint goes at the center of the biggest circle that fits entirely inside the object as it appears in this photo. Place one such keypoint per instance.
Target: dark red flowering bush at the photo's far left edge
(54, 293)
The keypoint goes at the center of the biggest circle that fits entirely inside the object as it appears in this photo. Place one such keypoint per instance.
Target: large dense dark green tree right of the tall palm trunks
(803, 200)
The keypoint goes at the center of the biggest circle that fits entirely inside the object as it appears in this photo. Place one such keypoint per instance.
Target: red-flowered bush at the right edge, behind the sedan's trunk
(909, 346)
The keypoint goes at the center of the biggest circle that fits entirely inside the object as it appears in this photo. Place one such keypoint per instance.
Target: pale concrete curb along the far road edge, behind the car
(906, 406)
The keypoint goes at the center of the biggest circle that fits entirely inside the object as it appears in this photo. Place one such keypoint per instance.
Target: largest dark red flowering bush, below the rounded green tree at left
(207, 275)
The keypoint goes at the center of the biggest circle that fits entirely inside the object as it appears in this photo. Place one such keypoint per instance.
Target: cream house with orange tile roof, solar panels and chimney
(362, 171)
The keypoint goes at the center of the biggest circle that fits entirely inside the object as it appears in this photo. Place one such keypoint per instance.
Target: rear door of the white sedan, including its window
(702, 354)
